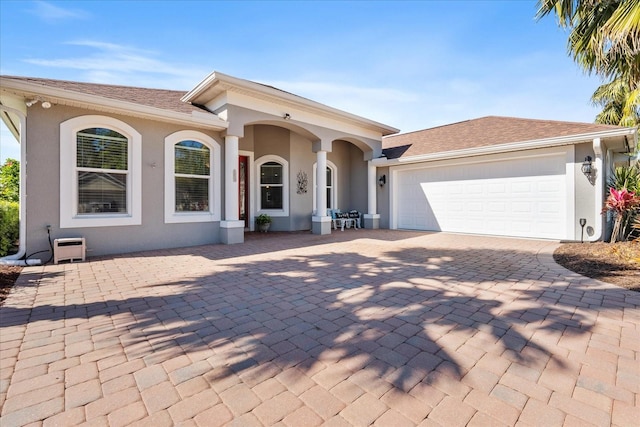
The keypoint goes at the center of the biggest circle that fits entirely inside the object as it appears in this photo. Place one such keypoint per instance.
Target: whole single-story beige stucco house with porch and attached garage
(133, 168)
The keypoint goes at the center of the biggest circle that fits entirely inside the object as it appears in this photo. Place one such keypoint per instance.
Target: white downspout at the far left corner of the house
(16, 259)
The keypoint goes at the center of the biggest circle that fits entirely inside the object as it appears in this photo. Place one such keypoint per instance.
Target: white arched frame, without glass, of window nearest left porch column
(170, 214)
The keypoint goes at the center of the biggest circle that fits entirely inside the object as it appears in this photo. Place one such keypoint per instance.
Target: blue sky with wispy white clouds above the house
(411, 65)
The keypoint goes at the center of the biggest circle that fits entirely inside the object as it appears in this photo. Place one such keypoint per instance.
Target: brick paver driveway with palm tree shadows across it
(360, 327)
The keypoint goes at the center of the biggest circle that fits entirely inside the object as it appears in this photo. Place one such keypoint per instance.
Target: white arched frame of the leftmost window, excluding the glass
(69, 217)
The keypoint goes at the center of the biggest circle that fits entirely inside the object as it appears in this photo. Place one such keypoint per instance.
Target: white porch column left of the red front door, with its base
(231, 229)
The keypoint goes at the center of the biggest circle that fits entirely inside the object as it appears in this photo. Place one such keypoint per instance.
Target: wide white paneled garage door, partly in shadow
(518, 197)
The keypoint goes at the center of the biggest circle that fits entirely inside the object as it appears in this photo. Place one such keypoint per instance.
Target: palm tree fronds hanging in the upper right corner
(605, 40)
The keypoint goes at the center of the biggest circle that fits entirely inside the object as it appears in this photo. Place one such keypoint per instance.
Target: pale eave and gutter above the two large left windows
(78, 99)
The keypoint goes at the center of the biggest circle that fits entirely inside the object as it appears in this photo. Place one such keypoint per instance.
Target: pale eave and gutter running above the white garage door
(509, 147)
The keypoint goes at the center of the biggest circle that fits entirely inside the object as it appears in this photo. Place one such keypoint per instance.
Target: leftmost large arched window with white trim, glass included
(99, 173)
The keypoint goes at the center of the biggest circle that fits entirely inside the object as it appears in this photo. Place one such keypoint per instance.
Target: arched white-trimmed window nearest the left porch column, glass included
(191, 159)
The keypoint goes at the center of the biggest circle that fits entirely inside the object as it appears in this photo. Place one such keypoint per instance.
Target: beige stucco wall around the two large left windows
(43, 190)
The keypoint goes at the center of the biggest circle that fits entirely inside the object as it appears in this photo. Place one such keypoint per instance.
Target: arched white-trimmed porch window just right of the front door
(273, 185)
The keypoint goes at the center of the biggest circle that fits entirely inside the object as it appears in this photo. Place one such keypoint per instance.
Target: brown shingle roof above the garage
(482, 132)
